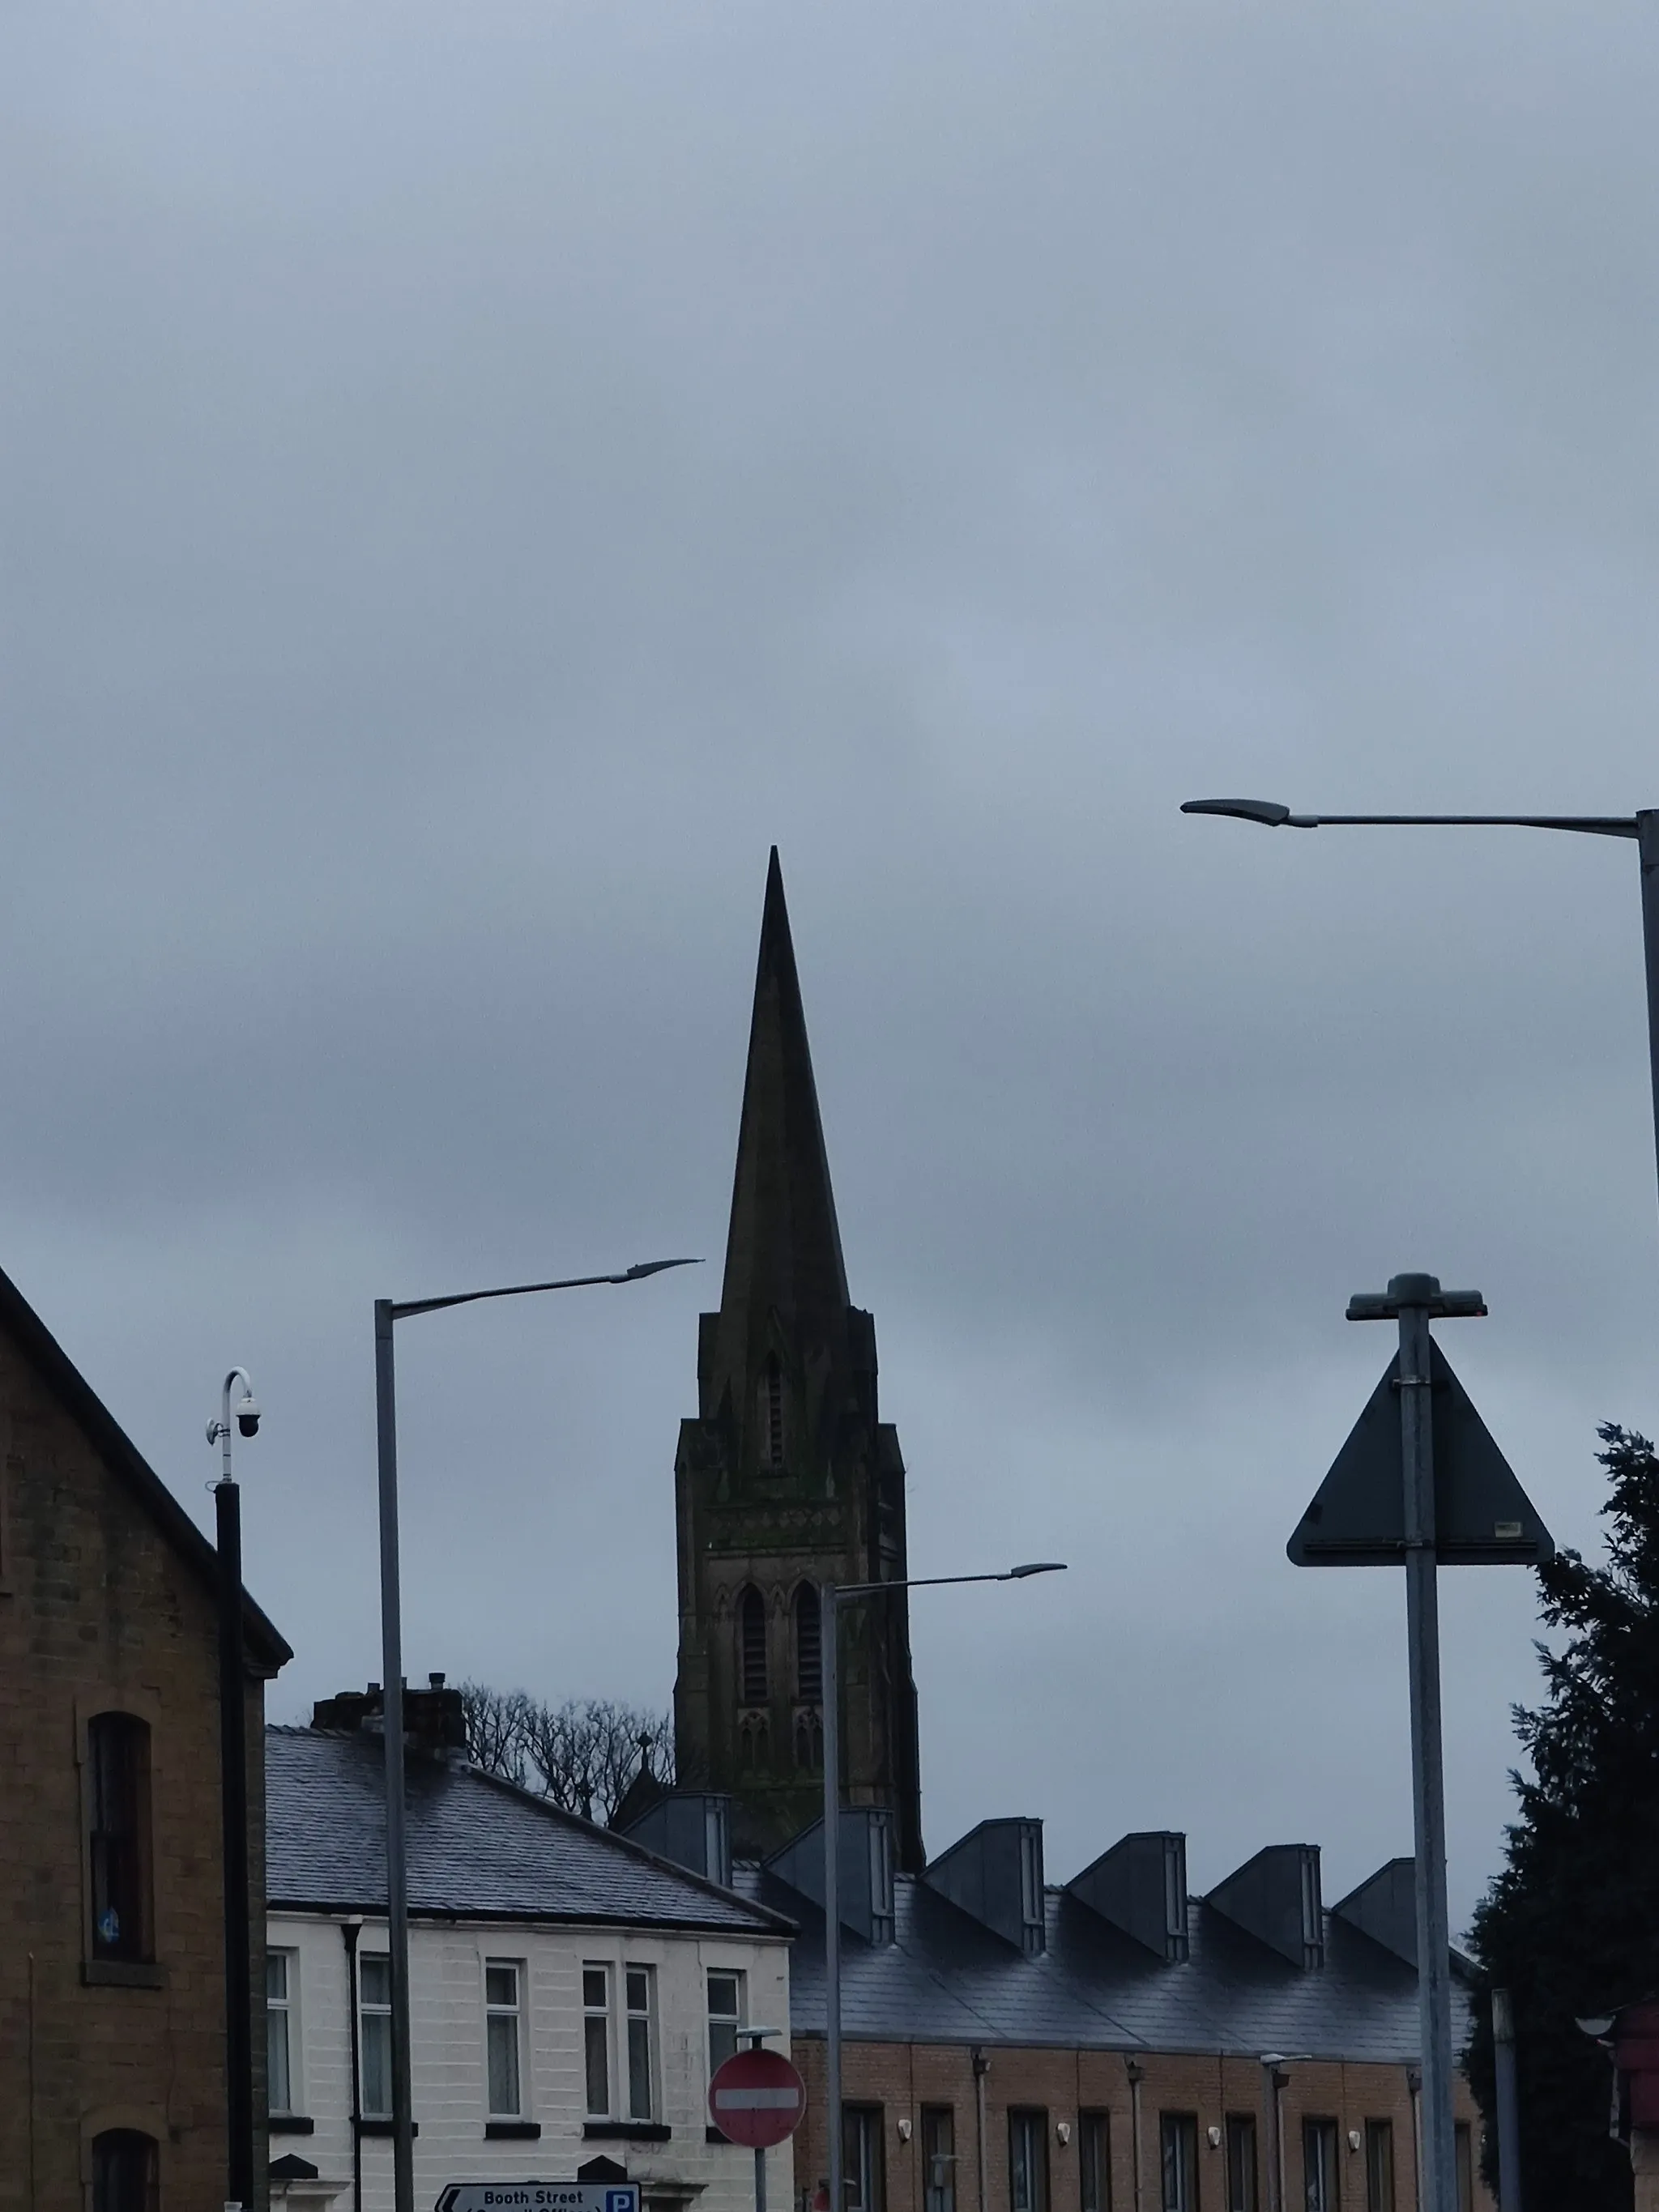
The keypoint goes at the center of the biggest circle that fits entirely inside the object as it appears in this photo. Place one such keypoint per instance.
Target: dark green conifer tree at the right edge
(1572, 1926)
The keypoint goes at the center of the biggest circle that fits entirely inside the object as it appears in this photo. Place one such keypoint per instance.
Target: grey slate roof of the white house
(479, 1848)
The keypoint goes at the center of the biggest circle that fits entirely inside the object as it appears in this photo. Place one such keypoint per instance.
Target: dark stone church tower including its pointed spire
(789, 1479)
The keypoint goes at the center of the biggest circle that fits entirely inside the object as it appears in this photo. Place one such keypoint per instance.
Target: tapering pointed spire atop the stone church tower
(784, 1244)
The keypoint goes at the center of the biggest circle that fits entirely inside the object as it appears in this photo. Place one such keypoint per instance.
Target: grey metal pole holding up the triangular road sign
(1428, 1768)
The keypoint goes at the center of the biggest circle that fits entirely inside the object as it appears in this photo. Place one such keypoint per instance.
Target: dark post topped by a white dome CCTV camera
(233, 1799)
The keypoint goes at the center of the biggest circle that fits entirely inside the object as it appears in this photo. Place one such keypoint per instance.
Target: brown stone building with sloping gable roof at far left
(112, 1888)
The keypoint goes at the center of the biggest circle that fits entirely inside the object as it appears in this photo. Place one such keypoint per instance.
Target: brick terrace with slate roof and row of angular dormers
(1114, 2045)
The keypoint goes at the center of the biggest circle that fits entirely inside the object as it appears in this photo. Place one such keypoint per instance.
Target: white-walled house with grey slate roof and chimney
(570, 1990)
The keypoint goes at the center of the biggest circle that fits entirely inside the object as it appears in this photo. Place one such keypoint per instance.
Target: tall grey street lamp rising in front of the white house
(397, 1866)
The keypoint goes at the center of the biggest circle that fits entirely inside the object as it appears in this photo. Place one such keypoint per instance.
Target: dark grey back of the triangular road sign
(1481, 1512)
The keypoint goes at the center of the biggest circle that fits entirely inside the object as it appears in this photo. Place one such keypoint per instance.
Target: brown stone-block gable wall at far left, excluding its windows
(101, 1611)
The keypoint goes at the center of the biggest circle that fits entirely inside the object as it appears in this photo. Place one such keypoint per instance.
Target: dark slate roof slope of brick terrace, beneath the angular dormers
(950, 1981)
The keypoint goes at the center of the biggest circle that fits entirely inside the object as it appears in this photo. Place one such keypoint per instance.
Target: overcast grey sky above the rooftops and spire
(474, 477)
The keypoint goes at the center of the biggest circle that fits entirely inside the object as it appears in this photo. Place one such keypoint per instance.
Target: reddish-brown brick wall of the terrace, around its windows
(904, 2078)
